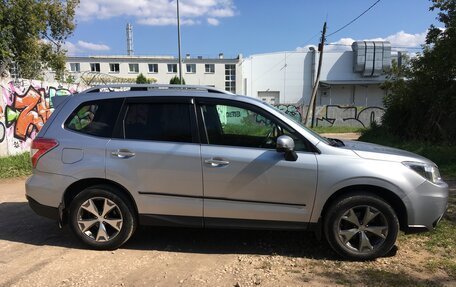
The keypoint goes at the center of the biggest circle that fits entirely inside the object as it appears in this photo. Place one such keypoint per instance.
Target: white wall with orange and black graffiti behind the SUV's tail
(25, 106)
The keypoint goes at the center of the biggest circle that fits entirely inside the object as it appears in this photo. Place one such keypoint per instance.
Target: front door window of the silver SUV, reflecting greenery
(239, 126)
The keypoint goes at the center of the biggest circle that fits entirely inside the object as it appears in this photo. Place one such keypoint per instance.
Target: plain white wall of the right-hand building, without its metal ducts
(292, 74)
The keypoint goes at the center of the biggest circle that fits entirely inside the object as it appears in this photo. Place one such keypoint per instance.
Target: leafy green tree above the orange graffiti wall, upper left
(32, 34)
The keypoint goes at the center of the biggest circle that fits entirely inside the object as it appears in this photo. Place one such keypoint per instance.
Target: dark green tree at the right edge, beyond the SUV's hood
(421, 95)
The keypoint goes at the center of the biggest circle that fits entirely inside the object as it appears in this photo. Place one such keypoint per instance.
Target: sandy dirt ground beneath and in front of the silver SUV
(34, 252)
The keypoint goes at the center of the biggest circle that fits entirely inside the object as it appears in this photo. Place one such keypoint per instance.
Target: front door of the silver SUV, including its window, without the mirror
(246, 181)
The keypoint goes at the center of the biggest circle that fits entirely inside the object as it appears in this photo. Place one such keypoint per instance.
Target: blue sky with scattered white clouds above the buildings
(232, 27)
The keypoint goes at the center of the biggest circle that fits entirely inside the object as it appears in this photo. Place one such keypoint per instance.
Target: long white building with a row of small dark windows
(221, 72)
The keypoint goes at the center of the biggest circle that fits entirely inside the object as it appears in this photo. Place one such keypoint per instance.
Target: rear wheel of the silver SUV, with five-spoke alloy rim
(102, 217)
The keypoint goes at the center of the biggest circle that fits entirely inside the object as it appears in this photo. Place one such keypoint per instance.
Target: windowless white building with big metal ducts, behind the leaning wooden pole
(347, 78)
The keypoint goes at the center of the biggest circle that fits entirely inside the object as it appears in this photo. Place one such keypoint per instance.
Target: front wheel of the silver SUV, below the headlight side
(354, 239)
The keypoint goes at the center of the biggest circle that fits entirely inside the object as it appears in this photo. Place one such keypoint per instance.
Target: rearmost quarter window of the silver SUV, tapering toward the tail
(95, 118)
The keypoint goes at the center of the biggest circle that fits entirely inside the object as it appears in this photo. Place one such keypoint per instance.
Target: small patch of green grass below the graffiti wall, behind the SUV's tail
(15, 166)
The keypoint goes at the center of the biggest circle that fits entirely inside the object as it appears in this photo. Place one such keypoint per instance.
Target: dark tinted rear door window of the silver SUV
(158, 122)
